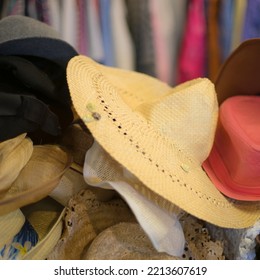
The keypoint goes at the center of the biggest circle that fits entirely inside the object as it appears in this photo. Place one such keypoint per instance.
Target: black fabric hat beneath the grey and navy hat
(31, 101)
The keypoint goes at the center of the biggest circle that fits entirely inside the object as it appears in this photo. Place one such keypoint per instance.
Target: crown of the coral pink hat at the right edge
(238, 139)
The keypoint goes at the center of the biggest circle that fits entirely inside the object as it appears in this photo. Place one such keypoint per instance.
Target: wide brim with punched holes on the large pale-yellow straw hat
(100, 95)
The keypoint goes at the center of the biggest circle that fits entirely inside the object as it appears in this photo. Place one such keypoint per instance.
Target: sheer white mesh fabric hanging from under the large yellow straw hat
(163, 229)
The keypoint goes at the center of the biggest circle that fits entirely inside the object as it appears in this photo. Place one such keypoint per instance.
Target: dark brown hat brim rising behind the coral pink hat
(239, 74)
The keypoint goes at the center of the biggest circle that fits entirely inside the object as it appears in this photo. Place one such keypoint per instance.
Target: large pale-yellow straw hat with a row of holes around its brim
(160, 134)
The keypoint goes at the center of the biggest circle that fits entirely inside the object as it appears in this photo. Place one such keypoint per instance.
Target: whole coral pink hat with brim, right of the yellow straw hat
(234, 162)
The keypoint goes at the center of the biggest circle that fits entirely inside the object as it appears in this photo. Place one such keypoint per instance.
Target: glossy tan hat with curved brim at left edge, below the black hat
(37, 179)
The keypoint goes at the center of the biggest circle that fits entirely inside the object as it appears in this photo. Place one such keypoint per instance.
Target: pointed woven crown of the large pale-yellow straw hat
(187, 116)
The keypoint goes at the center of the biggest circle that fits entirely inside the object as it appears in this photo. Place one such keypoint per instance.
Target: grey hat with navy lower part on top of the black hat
(22, 35)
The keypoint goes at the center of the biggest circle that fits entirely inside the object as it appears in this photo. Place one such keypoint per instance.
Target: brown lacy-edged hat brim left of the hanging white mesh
(86, 217)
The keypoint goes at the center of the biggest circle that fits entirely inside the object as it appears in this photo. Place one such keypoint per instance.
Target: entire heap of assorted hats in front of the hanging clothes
(104, 163)
